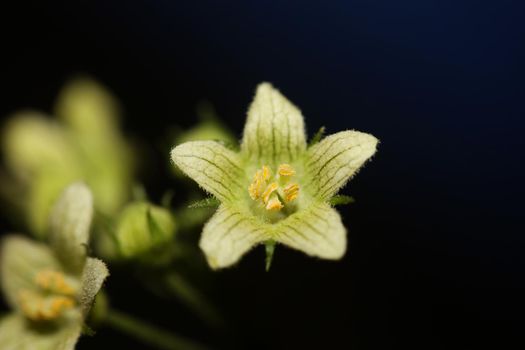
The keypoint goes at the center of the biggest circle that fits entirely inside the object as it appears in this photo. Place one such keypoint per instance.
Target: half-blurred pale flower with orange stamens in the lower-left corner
(51, 286)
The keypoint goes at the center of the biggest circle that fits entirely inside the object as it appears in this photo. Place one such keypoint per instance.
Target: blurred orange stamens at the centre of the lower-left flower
(55, 295)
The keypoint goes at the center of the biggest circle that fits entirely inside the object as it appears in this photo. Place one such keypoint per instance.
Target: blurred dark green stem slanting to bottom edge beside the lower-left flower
(148, 334)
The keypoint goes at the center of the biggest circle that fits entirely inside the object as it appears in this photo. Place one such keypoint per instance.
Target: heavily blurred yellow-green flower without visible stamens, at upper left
(83, 142)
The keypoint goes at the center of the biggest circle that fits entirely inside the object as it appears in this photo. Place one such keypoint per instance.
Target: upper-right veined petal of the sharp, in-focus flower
(333, 161)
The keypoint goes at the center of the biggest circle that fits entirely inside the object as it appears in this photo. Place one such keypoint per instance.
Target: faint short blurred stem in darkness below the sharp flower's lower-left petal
(193, 298)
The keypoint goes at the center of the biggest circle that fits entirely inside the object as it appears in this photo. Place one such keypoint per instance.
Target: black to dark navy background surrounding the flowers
(436, 237)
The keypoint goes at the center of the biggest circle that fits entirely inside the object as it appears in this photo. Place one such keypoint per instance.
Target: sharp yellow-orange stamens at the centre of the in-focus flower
(274, 192)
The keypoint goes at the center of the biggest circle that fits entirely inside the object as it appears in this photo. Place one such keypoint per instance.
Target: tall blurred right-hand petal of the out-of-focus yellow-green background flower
(91, 113)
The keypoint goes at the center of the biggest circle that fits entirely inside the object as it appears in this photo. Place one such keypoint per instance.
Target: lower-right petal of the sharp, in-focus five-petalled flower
(316, 231)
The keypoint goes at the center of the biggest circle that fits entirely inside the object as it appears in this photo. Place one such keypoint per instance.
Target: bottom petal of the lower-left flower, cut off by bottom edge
(16, 333)
